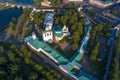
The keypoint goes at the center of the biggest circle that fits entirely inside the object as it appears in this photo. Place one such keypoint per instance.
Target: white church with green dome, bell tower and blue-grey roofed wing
(50, 32)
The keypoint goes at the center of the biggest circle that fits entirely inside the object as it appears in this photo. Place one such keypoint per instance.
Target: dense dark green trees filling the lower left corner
(17, 65)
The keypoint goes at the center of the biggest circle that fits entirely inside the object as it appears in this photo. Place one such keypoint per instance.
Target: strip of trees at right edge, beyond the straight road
(114, 73)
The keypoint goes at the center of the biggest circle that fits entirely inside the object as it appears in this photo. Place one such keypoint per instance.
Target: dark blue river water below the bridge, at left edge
(7, 15)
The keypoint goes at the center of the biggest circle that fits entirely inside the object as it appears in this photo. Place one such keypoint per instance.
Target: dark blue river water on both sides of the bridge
(7, 15)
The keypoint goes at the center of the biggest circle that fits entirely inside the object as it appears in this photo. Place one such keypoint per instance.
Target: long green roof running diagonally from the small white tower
(37, 43)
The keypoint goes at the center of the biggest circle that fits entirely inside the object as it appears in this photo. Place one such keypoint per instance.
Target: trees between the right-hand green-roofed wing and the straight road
(99, 30)
